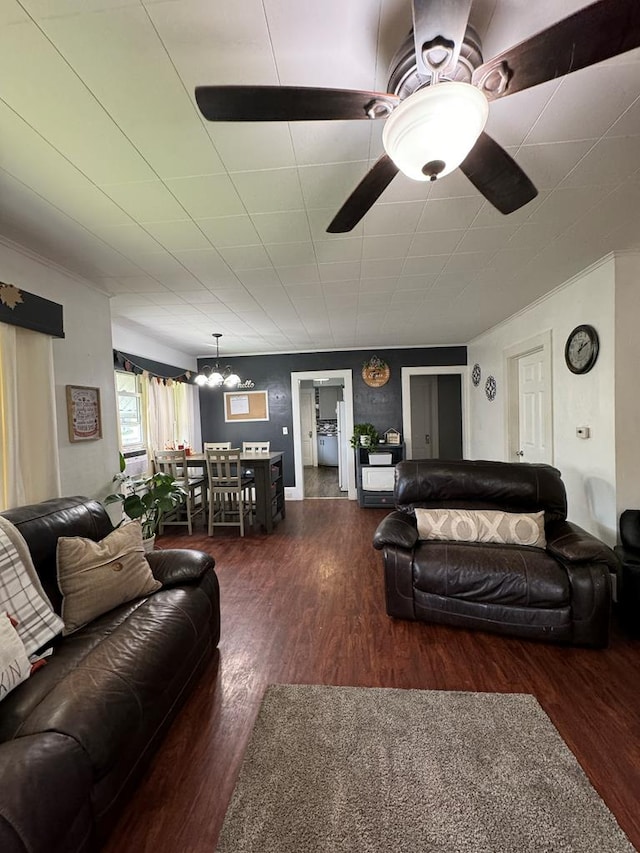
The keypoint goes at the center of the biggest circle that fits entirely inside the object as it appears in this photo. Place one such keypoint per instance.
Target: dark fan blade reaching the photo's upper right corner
(592, 34)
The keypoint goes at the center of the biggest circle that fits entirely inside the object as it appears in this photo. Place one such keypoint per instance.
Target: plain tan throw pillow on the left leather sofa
(95, 577)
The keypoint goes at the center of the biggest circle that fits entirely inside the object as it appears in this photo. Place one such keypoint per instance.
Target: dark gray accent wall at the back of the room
(380, 406)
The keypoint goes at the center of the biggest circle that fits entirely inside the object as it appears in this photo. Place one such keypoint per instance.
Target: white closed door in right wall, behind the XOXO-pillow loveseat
(533, 399)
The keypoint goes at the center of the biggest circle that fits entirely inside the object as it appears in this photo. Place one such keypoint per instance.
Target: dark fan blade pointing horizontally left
(291, 103)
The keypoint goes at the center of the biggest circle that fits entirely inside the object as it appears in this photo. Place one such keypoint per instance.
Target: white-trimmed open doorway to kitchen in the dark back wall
(322, 404)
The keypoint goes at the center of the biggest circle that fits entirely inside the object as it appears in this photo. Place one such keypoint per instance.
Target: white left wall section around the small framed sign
(82, 357)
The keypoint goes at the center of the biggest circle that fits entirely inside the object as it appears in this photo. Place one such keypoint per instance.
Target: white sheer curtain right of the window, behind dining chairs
(171, 413)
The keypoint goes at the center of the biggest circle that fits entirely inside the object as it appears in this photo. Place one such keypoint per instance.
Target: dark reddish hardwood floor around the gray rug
(306, 605)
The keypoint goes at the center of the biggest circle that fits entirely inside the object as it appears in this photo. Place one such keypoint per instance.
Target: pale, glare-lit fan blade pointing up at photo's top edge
(438, 30)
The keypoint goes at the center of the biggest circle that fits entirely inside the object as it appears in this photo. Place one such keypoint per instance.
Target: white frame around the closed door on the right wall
(511, 356)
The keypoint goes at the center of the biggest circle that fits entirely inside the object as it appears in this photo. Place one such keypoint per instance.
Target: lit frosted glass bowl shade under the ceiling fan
(431, 132)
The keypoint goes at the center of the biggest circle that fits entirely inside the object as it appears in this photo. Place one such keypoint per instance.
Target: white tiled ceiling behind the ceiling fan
(108, 168)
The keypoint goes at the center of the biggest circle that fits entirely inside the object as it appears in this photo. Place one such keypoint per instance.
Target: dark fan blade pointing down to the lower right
(497, 176)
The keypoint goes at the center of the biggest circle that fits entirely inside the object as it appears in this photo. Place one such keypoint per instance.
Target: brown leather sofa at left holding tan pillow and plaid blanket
(76, 736)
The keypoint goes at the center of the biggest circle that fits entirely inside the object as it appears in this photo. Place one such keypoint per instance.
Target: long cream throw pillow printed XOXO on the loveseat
(485, 525)
